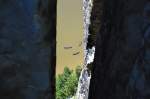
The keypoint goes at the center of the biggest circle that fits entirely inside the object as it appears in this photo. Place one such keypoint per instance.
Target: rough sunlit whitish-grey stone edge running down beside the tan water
(89, 50)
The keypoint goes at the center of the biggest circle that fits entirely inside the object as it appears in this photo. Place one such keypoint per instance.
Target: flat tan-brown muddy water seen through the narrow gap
(69, 34)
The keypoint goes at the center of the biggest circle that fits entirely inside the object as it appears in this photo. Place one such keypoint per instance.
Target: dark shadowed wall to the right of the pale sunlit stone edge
(121, 67)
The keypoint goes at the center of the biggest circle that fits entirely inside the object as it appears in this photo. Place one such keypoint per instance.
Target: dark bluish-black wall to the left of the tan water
(27, 49)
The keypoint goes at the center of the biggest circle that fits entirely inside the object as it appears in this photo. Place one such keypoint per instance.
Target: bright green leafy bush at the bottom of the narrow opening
(66, 83)
